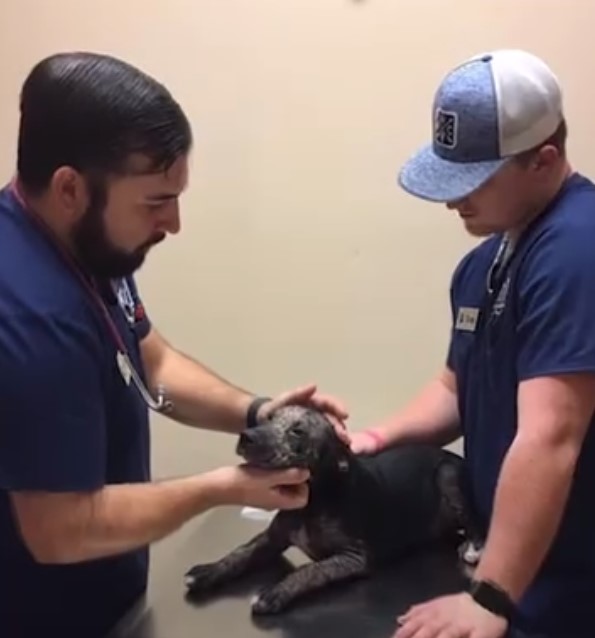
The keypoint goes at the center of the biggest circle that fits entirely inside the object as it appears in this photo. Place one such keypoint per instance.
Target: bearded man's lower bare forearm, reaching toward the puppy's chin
(116, 519)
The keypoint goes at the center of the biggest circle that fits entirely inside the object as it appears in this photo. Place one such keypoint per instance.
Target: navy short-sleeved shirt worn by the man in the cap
(538, 320)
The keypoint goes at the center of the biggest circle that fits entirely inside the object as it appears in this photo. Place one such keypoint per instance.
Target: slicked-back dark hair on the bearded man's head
(93, 112)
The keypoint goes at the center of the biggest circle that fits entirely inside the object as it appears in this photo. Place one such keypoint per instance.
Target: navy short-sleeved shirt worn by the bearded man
(68, 422)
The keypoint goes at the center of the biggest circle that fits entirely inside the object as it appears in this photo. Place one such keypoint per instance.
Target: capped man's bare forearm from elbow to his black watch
(530, 499)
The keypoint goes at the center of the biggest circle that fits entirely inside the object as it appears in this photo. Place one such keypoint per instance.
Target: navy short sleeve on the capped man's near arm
(556, 305)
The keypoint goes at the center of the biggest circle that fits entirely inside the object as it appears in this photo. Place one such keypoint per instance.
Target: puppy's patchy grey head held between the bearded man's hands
(293, 436)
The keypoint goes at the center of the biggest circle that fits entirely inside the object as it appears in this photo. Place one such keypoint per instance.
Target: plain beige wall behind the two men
(307, 262)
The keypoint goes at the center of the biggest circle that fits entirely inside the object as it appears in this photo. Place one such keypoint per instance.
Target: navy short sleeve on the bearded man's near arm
(52, 421)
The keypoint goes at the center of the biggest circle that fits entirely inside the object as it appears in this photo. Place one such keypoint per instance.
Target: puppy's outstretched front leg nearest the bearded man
(260, 550)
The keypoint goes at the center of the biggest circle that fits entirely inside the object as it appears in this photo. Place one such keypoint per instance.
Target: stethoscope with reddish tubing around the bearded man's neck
(160, 404)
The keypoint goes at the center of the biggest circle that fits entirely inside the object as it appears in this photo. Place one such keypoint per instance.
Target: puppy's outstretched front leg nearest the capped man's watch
(311, 577)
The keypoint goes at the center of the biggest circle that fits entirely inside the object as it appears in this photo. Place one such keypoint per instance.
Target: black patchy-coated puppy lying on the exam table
(363, 511)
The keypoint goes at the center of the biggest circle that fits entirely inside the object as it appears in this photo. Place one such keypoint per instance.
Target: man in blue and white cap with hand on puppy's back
(519, 380)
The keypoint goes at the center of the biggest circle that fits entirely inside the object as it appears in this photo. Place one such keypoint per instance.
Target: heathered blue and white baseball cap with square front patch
(486, 110)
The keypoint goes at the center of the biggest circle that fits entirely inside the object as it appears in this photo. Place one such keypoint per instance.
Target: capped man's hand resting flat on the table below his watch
(456, 616)
